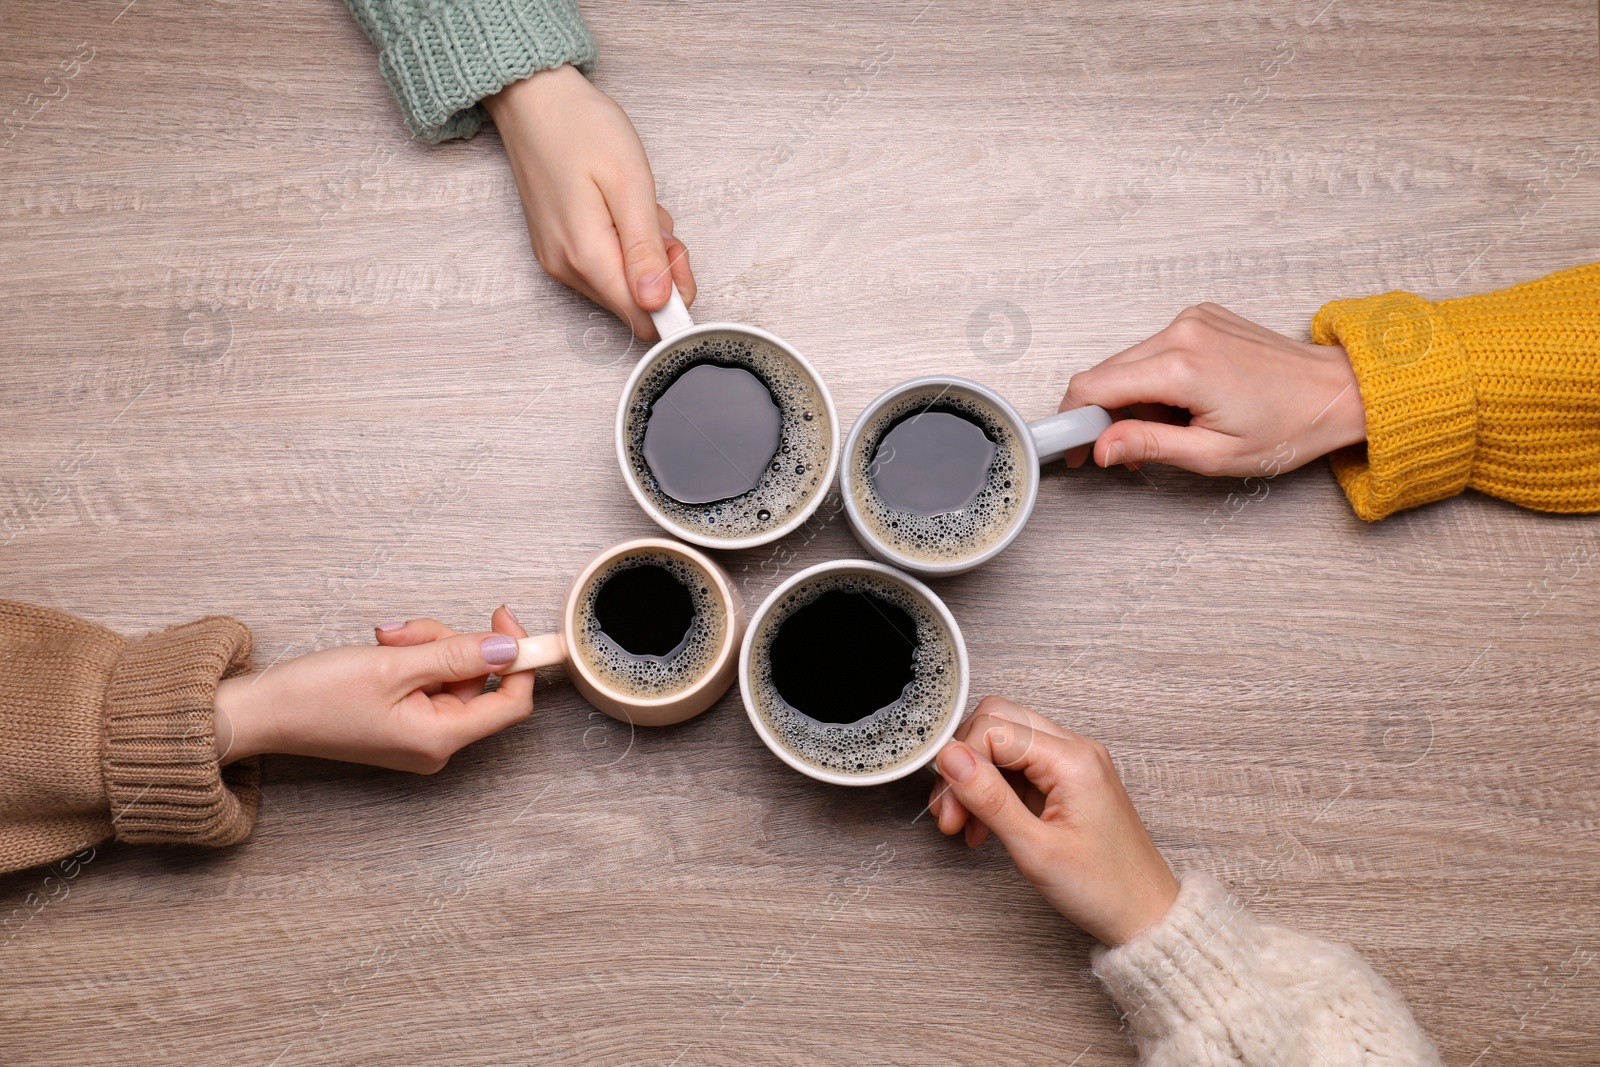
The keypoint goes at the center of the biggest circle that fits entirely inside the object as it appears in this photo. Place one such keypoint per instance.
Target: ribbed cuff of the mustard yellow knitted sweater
(1422, 409)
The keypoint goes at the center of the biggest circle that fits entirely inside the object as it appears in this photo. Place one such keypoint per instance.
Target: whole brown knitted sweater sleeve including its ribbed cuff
(103, 738)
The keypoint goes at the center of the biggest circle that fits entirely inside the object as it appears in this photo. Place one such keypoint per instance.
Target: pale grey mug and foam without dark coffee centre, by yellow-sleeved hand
(958, 541)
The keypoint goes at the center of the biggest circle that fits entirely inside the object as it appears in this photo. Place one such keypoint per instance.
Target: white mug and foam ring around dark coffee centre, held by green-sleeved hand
(810, 425)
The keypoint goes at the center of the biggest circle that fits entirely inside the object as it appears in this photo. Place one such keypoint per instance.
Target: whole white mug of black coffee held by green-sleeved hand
(726, 434)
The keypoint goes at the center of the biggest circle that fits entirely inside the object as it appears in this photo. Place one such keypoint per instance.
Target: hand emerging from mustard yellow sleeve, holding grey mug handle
(1220, 396)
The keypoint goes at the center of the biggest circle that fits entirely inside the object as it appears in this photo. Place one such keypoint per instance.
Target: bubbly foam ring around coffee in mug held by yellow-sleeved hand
(954, 535)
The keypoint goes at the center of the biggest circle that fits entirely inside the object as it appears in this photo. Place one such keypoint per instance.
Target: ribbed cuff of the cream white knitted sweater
(1190, 969)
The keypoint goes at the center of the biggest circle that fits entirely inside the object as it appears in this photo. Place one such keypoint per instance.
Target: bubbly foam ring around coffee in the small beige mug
(654, 676)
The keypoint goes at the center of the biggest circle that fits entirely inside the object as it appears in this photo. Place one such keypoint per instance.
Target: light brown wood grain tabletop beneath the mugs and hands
(265, 356)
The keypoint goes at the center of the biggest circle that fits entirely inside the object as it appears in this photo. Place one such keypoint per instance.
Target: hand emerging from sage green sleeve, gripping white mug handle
(590, 196)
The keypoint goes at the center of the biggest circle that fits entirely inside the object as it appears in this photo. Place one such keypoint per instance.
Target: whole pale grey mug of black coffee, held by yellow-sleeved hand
(940, 474)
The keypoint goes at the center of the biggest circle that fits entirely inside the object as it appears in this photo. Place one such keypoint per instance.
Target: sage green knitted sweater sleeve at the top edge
(442, 57)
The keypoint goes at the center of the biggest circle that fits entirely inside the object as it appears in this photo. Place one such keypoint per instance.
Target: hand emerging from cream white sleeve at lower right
(1055, 802)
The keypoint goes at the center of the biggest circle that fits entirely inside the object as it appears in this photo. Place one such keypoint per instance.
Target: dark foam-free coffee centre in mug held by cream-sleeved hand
(844, 657)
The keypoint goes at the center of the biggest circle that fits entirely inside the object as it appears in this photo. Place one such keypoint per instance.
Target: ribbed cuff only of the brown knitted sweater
(161, 767)
